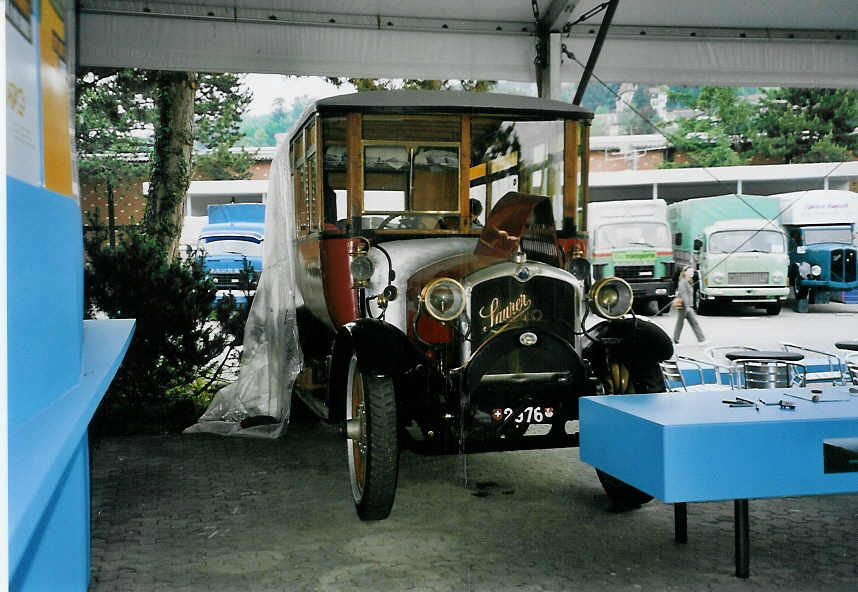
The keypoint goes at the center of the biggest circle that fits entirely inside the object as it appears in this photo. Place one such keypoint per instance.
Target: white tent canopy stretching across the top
(730, 42)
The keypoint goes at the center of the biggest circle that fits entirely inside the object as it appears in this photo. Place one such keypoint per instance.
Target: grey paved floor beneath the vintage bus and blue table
(206, 513)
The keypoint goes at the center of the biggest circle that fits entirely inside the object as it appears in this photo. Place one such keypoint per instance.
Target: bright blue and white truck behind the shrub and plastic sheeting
(231, 243)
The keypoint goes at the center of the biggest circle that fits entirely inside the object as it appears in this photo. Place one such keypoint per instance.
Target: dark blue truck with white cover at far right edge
(820, 225)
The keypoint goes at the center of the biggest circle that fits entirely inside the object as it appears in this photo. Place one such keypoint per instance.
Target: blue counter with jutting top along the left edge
(49, 472)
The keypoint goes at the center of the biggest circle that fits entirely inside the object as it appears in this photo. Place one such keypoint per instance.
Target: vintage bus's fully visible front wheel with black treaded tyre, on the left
(373, 457)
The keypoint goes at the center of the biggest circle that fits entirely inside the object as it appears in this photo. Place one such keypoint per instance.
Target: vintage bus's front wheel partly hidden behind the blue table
(622, 381)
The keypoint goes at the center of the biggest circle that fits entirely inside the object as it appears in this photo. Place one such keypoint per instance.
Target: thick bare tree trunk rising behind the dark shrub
(171, 158)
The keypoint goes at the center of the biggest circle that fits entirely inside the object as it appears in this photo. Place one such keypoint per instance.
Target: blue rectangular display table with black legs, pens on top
(693, 447)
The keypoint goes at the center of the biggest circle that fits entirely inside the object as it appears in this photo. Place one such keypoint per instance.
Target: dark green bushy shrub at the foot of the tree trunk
(166, 373)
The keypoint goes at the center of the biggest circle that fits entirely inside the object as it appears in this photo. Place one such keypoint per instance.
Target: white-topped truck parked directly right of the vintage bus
(631, 240)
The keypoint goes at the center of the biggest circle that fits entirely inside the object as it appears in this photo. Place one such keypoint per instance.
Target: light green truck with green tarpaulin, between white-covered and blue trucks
(736, 247)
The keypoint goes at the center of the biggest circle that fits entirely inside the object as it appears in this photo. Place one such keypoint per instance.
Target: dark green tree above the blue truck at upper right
(807, 125)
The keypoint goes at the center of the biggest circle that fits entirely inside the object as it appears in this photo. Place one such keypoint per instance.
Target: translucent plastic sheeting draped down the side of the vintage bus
(258, 403)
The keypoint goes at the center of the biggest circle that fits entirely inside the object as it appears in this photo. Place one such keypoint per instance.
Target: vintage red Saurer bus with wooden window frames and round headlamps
(445, 296)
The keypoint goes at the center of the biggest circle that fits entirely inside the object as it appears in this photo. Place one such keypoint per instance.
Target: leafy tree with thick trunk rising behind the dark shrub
(129, 122)
